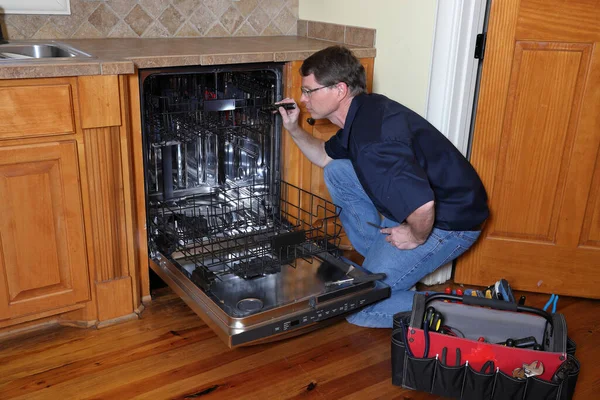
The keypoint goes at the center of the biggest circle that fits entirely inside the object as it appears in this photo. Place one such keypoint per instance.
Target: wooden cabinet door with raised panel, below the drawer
(43, 263)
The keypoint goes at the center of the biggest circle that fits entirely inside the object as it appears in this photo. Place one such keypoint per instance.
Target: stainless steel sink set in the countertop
(38, 50)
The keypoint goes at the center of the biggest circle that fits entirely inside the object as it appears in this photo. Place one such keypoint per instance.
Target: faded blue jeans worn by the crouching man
(404, 268)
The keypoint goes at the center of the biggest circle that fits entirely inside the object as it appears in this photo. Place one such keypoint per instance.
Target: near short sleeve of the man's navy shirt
(395, 178)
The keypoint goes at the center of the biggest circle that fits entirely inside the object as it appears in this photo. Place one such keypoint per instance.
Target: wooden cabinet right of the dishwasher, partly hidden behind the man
(296, 168)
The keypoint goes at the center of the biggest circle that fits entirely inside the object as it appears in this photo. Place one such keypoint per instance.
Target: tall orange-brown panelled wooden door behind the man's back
(535, 146)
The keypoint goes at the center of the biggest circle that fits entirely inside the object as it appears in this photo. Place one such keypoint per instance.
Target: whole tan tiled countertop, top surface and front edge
(122, 56)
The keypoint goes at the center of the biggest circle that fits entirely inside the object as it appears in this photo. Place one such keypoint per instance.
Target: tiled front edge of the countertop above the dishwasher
(50, 69)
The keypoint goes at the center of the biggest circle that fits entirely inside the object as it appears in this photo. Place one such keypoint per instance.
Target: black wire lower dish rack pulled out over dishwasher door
(245, 231)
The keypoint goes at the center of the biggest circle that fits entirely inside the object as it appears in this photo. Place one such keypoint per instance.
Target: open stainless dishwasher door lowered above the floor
(295, 301)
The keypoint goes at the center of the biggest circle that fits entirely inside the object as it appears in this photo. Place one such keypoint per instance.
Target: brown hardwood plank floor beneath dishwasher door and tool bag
(171, 354)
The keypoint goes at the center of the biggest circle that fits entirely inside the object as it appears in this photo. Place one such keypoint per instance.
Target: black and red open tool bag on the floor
(470, 353)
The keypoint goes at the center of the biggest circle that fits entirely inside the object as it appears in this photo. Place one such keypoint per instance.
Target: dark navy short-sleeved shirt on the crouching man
(403, 162)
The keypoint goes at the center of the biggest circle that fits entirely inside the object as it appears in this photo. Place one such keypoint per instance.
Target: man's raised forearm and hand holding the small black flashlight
(312, 147)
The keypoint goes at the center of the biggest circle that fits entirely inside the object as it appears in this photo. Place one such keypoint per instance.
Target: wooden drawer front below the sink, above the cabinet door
(27, 111)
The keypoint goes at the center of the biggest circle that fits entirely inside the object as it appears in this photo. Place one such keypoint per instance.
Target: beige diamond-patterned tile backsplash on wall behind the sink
(158, 18)
